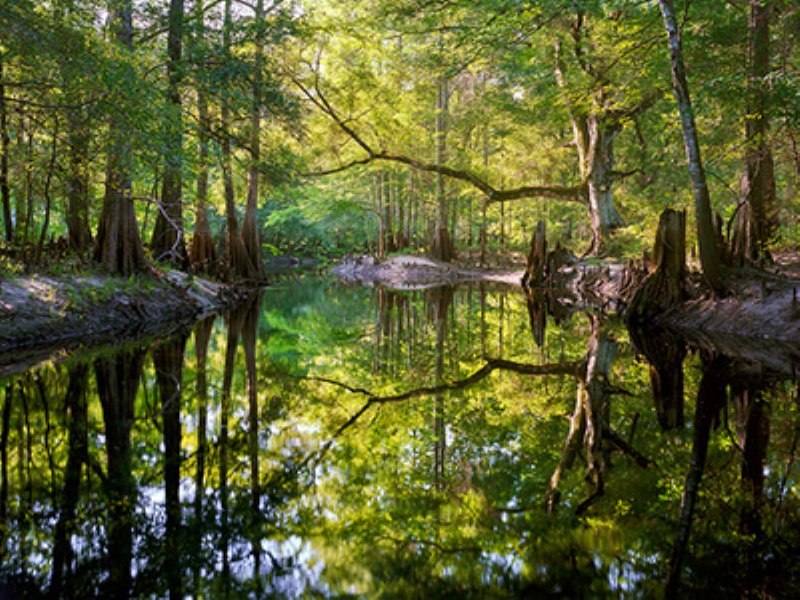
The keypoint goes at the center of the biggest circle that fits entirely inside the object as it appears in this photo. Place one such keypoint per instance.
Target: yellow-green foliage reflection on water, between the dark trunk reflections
(371, 518)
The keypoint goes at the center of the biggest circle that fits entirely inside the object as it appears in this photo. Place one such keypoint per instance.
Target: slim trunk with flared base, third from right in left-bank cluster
(201, 253)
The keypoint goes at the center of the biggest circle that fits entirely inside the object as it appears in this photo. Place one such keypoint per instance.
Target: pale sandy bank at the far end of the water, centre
(409, 272)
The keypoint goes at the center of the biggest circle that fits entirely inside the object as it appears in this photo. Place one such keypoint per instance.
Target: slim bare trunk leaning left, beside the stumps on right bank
(709, 253)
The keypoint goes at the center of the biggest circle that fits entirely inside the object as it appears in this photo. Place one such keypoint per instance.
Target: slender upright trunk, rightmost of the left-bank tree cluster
(250, 235)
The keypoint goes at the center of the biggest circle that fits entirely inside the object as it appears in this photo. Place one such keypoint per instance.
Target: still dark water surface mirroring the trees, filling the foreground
(324, 440)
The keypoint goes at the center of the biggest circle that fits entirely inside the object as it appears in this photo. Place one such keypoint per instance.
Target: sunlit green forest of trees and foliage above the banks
(245, 129)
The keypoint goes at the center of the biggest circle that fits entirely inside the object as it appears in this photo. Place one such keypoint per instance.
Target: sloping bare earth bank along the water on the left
(43, 315)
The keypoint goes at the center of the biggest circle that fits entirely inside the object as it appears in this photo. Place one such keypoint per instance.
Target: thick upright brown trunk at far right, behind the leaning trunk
(759, 176)
